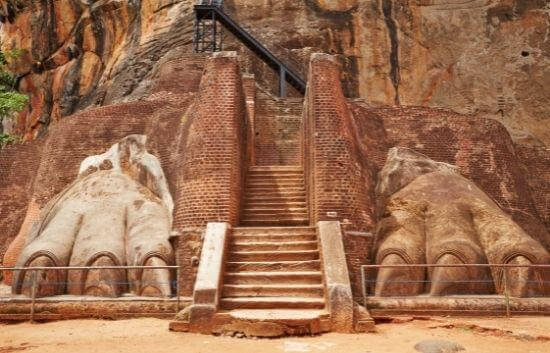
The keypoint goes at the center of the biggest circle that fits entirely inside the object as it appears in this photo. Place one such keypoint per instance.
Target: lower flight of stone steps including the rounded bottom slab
(273, 284)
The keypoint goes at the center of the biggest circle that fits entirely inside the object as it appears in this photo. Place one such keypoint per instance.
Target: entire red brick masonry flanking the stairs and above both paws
(201, 115)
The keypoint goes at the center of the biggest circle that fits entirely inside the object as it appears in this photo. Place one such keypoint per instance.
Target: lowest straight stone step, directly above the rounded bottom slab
(229, 303)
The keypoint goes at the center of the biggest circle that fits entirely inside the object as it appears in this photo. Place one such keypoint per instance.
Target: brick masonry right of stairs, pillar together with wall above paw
(347, 143)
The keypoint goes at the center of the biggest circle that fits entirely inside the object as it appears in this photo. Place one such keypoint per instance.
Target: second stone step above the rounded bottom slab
(273, 290)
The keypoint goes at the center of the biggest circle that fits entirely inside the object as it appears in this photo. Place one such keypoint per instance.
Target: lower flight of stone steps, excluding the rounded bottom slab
(273, 267)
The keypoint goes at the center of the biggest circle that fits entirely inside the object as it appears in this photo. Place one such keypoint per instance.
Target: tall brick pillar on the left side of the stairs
(212, 151)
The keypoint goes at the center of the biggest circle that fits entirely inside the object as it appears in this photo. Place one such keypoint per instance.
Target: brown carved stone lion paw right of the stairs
(433, 215)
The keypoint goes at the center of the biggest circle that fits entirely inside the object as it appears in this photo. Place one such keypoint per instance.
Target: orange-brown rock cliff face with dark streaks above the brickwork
(485, 57)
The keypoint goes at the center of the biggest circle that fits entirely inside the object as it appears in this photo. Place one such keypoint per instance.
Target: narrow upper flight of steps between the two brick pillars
(275, 196)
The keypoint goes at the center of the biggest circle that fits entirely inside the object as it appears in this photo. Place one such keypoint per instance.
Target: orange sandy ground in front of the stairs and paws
(522, 335)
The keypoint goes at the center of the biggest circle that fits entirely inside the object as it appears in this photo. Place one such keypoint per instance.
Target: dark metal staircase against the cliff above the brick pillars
(208, 38)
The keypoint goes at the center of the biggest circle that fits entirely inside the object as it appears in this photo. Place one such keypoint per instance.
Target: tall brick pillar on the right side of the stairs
(338, 187)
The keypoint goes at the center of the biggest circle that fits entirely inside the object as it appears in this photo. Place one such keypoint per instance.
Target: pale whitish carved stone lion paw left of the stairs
(117, 212)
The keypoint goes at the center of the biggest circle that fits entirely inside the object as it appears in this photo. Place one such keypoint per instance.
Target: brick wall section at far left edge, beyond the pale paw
(18, 166)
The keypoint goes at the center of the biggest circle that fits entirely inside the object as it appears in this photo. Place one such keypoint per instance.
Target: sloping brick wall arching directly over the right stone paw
(481, 148)
